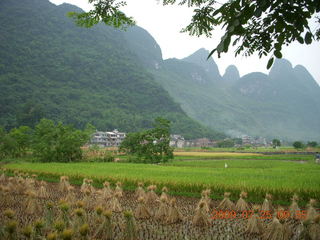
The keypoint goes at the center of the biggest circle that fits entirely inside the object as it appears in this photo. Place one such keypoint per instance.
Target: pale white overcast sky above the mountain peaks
(165, 22)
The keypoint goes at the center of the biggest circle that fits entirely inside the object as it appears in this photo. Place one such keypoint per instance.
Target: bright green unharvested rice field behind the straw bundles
(281, 178)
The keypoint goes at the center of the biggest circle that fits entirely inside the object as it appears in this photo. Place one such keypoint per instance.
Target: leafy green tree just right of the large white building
(152, 145)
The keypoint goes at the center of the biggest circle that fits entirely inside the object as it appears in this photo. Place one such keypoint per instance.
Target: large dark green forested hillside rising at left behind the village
(49, 67)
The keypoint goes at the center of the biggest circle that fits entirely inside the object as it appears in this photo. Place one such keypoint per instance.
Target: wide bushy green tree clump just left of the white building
(58, 142)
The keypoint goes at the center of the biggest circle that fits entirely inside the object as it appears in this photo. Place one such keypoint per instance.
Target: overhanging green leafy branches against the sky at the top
(254, 26)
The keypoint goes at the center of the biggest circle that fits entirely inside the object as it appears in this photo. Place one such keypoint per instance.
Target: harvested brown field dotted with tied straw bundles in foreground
(34, 209)
